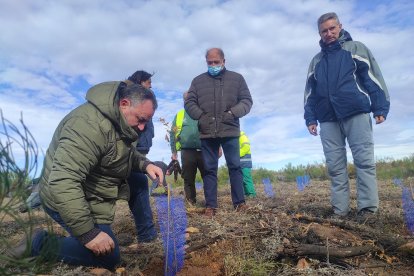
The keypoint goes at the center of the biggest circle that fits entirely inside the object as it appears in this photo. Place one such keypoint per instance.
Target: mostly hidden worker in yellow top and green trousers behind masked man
(246, 165)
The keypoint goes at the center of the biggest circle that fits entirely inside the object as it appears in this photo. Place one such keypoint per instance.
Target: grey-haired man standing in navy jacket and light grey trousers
(343, 87)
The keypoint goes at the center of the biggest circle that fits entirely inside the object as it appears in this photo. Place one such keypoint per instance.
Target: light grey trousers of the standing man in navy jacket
(357, 130)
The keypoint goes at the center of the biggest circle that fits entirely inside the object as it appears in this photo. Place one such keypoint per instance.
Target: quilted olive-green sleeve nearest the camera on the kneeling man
(79, 150)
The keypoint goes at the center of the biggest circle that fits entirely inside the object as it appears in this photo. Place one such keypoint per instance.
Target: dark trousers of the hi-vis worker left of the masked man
(191, 159)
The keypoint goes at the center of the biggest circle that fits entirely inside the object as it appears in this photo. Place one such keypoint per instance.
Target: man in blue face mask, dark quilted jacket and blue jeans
(217, 99)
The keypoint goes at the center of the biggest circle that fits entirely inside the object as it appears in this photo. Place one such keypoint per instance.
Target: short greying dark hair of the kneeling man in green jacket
(136, 94)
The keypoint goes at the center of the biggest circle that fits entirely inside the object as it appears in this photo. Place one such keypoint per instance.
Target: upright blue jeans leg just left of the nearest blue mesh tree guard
(139, 203)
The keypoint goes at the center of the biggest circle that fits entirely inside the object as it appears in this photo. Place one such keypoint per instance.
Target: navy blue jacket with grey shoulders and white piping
(344, 80)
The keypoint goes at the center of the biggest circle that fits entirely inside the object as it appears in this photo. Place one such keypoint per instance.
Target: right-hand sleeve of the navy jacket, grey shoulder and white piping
(371, 78)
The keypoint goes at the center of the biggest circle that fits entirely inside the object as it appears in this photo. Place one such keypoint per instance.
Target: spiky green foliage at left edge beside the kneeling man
(14, 176)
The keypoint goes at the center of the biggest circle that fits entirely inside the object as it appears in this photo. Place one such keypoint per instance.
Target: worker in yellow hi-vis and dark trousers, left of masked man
(184, 137)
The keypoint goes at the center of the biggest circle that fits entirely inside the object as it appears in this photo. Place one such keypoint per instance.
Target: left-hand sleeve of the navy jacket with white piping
(310, 98)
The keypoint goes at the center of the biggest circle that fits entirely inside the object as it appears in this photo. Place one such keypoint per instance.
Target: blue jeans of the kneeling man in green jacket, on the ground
(70, 250)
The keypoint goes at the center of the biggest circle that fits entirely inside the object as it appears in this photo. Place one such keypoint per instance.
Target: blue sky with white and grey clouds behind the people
(51, 52)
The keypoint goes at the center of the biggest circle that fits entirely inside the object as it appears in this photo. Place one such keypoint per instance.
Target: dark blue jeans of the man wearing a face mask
(231, 150)
